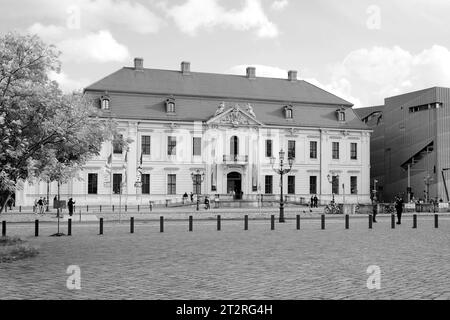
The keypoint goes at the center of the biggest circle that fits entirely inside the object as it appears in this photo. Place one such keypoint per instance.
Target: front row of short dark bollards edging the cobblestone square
(219, 223)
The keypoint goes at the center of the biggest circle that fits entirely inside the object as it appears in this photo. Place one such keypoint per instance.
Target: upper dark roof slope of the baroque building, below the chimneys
(154, 81)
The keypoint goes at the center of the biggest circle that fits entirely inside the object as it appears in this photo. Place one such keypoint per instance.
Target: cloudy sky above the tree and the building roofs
(362, 51)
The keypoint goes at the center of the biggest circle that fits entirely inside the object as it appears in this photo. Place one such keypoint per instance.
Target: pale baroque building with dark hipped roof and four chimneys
(225, 127)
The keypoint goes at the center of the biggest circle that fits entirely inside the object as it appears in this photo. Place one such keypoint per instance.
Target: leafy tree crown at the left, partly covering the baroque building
(43, 133)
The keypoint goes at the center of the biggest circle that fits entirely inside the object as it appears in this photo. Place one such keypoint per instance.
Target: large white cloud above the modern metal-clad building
(380, 72)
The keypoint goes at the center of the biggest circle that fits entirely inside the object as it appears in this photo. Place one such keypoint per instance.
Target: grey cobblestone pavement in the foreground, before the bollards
(260, 263)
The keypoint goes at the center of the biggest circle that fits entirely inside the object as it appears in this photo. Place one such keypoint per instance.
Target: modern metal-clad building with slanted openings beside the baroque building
(410, 145)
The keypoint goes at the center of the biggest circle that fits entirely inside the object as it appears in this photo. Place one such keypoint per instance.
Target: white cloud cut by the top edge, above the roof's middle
(197, 14)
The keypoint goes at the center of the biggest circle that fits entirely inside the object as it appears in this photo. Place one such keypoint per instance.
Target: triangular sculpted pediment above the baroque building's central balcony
(234, 116)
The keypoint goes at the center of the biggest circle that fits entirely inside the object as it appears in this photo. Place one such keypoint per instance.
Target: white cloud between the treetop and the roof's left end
(76, 46)
